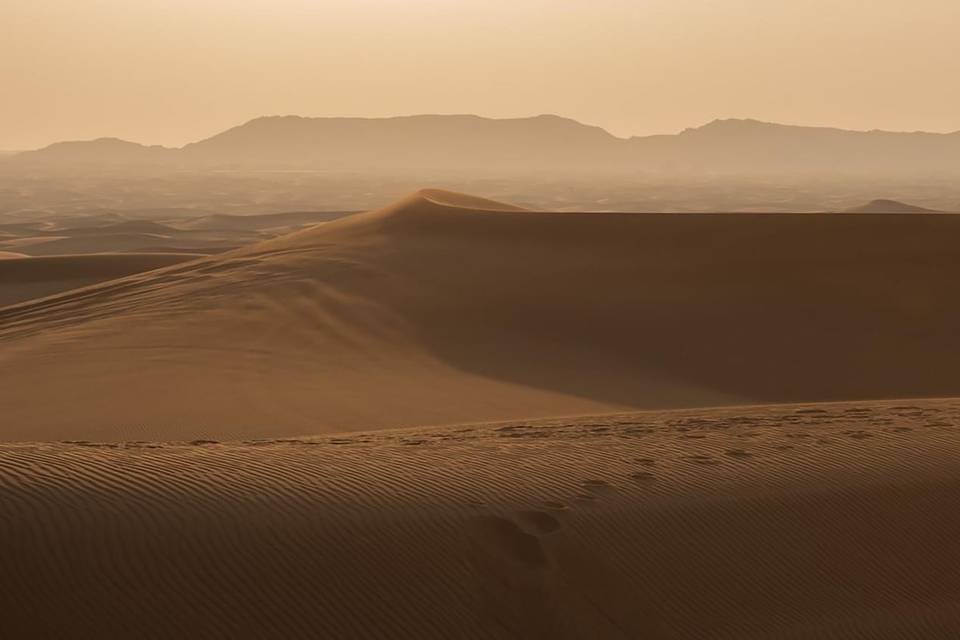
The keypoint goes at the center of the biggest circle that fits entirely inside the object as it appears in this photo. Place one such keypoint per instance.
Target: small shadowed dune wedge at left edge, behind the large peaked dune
(27, 278)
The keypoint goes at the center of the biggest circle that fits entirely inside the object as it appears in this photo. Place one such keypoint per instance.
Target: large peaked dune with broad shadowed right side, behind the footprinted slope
(444, 309)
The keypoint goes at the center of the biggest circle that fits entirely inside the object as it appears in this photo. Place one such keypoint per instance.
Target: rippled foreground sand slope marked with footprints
(831, 521)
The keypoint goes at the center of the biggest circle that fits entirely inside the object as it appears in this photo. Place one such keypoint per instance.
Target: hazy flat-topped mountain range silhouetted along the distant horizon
(540, 143)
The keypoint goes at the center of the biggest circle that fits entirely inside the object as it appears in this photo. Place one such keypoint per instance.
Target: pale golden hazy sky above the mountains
(173, 71)
